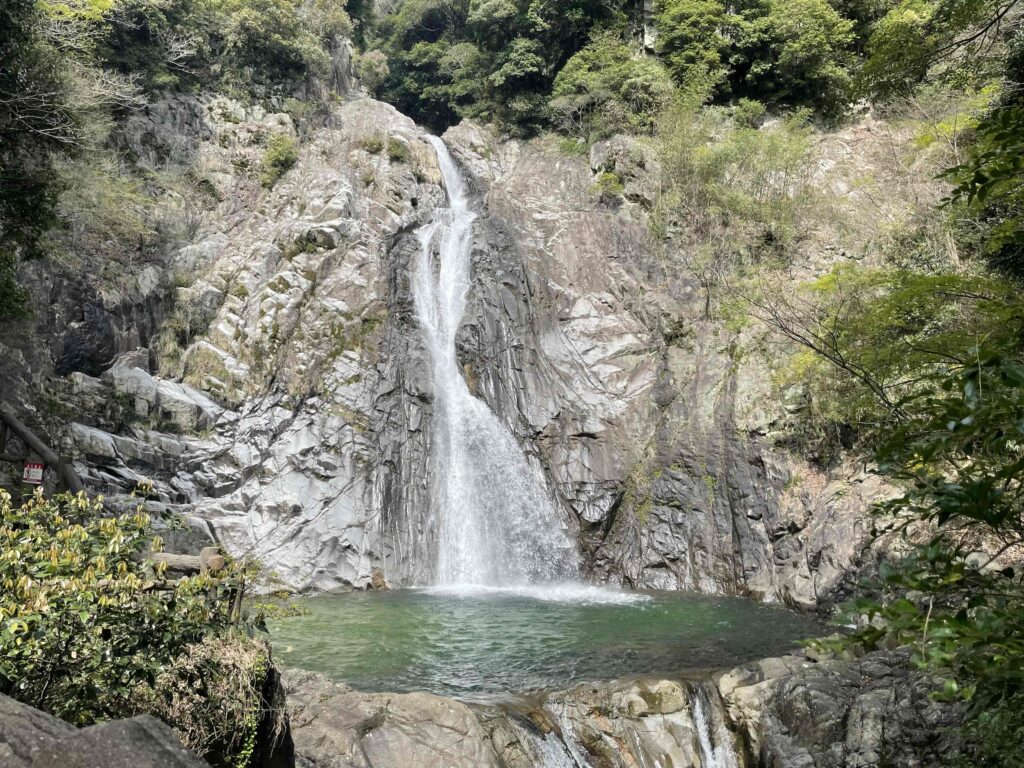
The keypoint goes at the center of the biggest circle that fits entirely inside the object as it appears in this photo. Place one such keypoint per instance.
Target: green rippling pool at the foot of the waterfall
(468, 644)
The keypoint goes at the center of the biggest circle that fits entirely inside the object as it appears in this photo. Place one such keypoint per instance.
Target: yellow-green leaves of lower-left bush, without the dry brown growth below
(80, 625)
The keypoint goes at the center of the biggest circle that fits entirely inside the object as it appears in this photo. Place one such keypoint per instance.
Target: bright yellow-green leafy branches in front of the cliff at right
(876, 339)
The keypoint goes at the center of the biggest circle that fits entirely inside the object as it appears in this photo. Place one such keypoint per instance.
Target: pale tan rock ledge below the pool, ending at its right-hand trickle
(613, 726)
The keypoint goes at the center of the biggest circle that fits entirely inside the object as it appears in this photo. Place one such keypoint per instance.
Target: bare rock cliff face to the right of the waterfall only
(654, 424)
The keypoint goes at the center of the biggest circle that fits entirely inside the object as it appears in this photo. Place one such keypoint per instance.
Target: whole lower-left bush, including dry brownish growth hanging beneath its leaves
(88, 633)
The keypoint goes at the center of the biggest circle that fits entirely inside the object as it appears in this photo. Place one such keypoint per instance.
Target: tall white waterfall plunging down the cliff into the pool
(497, 526)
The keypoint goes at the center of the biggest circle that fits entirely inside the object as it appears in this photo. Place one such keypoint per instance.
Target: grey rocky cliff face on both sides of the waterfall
(271, 376)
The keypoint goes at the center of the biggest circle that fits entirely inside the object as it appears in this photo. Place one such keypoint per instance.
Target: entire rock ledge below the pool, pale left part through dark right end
(793, 712)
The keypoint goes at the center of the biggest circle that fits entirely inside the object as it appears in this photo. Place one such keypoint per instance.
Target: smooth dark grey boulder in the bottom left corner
(30, 739)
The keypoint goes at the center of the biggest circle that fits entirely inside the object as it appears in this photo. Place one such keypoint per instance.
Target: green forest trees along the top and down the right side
(913, 355)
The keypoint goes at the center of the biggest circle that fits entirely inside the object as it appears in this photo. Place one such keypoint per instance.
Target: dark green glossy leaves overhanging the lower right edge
(960, 457)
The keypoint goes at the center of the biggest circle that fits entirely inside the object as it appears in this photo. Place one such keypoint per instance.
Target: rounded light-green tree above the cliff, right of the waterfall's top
(605, 90)
